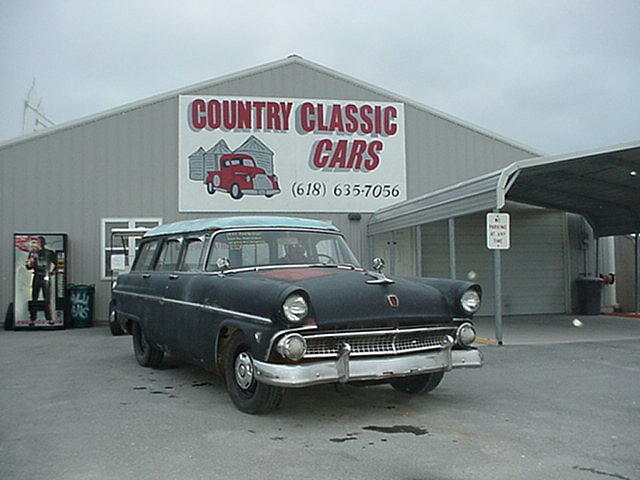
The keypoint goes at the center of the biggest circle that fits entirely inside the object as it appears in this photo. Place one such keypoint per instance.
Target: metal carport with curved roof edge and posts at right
(603, 186)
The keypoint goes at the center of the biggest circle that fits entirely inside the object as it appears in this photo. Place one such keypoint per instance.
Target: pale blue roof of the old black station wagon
(201, 224)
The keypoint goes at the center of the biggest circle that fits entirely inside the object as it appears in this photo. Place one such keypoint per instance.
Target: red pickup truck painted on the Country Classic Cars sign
(239, 175)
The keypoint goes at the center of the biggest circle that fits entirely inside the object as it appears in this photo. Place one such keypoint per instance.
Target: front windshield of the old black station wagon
(279, 247)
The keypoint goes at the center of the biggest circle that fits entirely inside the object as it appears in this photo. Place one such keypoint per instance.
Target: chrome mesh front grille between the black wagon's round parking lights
(379, 342)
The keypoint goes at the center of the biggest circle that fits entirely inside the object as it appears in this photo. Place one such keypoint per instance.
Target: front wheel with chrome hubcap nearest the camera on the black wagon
(248, 395)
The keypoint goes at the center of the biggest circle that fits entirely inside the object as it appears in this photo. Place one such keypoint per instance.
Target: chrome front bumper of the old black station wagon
(347, 370)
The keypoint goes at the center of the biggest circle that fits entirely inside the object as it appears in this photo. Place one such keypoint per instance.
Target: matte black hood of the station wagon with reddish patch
(342, 298)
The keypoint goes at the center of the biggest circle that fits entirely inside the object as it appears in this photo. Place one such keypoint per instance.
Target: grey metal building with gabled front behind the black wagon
(120, 168)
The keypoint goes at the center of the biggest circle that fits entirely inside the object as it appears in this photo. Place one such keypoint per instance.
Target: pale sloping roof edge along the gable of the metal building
(291, 59)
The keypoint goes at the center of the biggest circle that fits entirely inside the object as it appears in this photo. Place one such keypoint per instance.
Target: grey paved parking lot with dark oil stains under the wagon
(564, 404)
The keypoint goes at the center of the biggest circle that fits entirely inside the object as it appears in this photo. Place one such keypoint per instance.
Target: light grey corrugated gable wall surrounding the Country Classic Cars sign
(126, 165)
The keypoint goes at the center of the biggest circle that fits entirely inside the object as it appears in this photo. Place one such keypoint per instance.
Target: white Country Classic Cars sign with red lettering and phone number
(289, 155)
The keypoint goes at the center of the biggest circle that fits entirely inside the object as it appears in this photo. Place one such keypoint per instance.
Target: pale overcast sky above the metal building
(559, 76)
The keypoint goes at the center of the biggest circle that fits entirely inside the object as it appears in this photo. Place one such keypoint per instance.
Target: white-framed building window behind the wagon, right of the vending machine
(118, 252)
